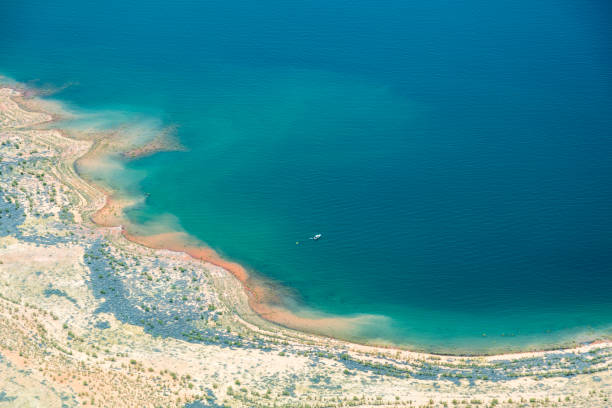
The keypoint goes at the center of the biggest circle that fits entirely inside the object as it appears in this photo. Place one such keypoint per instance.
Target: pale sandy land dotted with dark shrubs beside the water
(92, 313)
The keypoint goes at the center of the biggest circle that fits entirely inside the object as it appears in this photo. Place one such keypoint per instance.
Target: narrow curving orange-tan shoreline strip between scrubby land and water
(261, 298)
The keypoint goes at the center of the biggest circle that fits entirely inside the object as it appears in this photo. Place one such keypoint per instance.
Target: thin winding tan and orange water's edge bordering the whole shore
(261, 299)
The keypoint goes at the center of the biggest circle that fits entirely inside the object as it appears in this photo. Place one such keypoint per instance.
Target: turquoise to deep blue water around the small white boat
(455, 156)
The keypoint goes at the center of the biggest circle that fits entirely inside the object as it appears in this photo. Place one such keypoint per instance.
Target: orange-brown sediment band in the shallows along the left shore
(262, 298)
